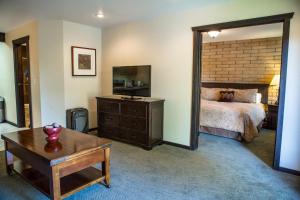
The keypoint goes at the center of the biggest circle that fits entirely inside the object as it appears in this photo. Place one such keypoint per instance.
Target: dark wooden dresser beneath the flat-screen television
(138, 122)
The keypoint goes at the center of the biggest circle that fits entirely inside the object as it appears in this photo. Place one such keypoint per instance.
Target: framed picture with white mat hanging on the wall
(83, 61)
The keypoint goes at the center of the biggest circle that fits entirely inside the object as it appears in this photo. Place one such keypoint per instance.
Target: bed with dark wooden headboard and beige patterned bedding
(236, 120)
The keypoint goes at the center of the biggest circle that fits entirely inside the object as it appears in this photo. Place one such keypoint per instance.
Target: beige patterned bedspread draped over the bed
(232, 116)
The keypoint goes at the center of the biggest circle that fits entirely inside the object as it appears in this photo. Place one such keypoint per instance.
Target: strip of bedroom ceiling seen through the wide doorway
(251, 32)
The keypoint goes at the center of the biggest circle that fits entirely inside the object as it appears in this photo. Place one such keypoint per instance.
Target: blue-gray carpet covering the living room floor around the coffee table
(220, 169)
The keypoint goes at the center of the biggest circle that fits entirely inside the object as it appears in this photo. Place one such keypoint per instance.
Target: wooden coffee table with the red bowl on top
(58, 169)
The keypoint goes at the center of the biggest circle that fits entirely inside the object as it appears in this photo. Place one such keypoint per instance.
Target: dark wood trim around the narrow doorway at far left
(17, 43)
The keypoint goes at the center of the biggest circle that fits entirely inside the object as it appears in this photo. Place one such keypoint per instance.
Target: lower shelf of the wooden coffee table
(68, 185)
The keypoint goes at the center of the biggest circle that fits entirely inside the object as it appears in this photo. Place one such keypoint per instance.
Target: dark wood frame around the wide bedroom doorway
(197, 64)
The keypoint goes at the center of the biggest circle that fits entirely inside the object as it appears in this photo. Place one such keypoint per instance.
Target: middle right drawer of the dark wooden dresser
(138, 124)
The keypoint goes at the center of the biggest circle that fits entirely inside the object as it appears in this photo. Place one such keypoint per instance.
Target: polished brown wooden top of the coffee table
(73, 144)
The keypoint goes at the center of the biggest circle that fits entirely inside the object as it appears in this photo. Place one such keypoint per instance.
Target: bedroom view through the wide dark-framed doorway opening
(252, 70)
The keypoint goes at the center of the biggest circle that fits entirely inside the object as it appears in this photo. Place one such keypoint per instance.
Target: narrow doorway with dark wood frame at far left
(22, 82)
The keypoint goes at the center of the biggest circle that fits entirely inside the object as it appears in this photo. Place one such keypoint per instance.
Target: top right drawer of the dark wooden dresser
(134, 109)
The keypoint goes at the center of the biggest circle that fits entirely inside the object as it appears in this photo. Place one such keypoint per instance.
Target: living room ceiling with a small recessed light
(17, 12)
